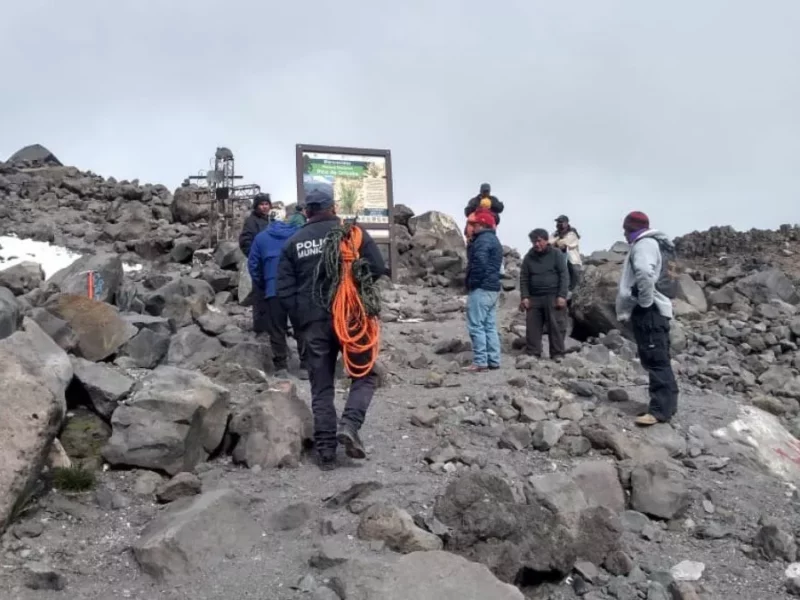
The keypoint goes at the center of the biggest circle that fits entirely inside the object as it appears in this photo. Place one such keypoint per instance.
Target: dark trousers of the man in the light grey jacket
(651, 331)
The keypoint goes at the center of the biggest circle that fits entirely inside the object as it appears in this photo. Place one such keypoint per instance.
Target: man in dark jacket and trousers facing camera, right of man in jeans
(544, 285)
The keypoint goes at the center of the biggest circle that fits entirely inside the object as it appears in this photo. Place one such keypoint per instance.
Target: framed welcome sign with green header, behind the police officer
(361, 179)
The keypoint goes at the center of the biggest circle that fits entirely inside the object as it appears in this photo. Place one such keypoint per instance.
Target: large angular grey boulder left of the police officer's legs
(173, 420)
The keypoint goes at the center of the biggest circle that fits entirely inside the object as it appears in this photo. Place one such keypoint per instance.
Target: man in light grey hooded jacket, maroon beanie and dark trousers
(645, 289)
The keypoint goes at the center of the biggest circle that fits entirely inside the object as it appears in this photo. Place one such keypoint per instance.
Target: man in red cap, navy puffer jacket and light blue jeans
(484, 262)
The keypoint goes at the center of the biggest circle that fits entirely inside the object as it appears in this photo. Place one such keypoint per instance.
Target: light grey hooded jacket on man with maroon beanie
(641, 269)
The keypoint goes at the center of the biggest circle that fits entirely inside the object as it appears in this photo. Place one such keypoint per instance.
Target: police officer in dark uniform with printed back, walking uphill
(295, 287)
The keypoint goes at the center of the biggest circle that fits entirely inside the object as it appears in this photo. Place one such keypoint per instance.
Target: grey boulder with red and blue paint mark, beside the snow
(108, 277)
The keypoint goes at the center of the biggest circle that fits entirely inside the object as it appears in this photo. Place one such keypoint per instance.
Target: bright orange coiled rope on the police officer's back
(358, 333)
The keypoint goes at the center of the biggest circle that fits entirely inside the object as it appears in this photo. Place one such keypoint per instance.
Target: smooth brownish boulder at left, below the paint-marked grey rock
(100, 329)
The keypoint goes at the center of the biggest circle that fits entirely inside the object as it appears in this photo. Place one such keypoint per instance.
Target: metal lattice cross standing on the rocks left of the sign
(223, 195)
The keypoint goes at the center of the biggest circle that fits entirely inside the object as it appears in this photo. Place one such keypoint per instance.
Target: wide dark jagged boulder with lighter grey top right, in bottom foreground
(561, 522)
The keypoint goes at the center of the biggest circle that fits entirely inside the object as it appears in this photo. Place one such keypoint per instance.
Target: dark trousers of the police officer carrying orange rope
(322, 350)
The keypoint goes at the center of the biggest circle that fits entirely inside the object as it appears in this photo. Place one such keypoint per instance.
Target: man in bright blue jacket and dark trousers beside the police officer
(263, 267)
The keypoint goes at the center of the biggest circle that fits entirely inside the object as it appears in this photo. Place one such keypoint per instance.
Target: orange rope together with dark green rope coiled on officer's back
(356, 327)
